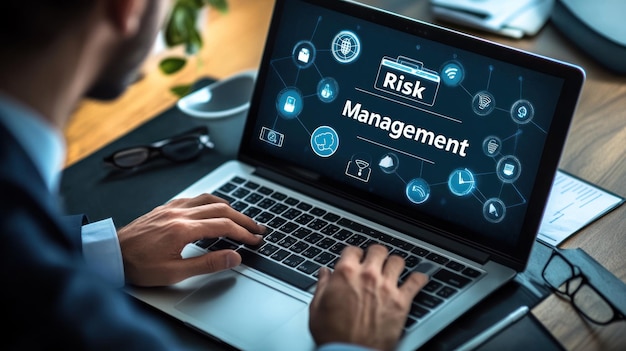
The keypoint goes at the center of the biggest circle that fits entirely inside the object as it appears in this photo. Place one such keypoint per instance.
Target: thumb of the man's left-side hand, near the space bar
(211, 262)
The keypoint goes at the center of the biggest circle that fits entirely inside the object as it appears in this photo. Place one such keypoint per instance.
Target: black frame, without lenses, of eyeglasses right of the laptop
(577, 273)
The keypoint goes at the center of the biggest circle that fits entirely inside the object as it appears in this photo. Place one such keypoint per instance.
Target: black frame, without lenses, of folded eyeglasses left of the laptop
(155, 150)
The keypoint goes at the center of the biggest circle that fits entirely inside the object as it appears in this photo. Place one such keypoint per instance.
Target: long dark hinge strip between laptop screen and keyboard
(423, 233)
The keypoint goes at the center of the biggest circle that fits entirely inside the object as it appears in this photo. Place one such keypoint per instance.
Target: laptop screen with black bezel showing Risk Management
(423, 124)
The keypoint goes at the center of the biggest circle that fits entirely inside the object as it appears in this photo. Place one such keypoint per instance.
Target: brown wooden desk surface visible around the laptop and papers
(594, 150)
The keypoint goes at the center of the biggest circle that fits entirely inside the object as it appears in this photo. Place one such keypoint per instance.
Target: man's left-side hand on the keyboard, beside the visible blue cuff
(152, 244)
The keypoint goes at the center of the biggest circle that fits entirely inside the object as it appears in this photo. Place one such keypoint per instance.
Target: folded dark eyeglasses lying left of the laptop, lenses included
(180, 148)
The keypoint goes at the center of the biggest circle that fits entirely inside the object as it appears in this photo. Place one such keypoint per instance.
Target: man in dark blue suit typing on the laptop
(61, 278)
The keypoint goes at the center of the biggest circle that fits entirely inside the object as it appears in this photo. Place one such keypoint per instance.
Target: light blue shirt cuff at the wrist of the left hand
(101, 250)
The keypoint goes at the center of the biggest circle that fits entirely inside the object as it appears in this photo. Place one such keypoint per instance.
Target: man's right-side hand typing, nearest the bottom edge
(360, 302)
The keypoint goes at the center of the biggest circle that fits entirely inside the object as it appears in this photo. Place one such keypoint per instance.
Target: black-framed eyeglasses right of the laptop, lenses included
(569, 282)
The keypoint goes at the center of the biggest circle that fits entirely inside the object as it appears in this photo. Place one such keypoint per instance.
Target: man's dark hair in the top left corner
(31, 24)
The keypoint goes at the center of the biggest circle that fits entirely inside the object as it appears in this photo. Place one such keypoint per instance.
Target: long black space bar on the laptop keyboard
(276, 270)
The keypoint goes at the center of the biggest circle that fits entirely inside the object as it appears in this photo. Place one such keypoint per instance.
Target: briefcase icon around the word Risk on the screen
(407, 78)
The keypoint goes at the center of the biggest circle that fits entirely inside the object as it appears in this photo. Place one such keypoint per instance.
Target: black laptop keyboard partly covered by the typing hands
(301, 238)
